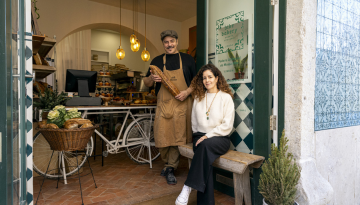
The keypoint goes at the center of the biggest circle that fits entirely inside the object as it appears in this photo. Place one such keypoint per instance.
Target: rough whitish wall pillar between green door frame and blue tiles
(299, 100)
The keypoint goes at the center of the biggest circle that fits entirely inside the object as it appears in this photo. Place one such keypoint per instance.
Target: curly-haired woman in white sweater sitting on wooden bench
(212, 121)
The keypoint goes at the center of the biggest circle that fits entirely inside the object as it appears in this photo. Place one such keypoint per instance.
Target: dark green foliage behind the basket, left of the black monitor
(50, 99)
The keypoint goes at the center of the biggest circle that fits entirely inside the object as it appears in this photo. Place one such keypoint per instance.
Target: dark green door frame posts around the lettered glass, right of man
(262, 74)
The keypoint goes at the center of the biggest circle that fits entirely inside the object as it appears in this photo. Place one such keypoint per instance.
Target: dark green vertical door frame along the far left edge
(6, 168)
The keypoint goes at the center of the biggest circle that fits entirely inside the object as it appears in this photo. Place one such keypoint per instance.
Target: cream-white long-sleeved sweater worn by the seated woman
(221, 117)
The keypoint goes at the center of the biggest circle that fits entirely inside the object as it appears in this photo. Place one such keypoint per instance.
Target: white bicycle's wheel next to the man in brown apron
(133, 134)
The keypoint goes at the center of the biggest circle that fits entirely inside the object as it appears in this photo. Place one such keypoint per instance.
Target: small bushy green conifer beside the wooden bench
(280, 176)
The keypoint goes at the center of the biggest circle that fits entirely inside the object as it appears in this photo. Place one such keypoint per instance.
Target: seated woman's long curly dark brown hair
(198, 85)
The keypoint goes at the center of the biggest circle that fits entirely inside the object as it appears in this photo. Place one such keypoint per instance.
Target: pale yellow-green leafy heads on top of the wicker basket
(59, 115)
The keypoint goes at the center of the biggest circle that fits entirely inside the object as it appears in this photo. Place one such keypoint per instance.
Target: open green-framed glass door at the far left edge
(12, 103)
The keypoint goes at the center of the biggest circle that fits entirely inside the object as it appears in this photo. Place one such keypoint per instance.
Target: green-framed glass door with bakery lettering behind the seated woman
(239, 43)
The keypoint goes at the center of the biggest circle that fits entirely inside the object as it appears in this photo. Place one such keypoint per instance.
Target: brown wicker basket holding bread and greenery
(68, 139)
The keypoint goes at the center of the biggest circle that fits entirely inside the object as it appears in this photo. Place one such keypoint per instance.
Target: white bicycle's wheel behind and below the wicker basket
(42, 154)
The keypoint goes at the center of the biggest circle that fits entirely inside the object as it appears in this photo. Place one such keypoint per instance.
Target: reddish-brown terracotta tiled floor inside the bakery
(119, 181)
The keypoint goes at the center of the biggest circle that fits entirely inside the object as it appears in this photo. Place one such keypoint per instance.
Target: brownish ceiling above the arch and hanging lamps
(177, 10)
